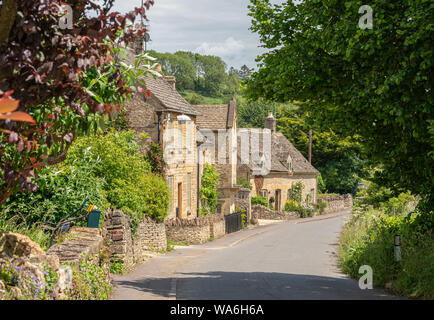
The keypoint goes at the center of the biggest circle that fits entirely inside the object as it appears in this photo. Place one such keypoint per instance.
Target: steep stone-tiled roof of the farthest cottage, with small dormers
(281, 151)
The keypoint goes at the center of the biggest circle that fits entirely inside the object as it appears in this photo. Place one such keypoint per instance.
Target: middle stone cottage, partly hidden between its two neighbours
(218, 126)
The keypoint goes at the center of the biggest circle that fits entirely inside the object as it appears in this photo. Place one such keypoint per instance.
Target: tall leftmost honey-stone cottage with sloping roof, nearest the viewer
(170, 121)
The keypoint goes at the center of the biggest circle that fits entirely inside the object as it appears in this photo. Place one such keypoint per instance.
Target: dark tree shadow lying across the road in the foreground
(254, 286)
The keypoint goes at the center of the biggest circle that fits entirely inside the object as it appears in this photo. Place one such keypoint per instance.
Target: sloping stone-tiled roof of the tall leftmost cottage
(163, 91)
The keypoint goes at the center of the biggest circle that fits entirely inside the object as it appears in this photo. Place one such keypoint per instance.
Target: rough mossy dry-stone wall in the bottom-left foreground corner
(27, 261)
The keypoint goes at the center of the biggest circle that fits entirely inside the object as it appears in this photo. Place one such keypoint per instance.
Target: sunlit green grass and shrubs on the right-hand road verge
(368, 239)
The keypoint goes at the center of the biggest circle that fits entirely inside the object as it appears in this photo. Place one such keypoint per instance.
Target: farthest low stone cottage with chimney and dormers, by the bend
(272, 164)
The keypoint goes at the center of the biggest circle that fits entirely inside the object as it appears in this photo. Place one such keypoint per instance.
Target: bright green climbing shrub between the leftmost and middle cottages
(208, 190)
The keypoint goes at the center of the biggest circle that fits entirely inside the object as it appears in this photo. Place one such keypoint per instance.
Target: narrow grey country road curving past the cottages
(287, 260)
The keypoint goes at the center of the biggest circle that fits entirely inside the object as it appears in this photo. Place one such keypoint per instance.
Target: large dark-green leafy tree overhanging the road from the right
(376, 83)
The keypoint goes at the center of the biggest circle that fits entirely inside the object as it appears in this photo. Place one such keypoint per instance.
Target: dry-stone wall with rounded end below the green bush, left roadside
(131, 249)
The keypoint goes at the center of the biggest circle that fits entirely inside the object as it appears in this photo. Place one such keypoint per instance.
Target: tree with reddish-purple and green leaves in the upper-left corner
(43, 65)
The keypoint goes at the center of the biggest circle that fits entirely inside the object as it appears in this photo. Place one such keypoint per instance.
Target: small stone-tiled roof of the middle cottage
(214, 117)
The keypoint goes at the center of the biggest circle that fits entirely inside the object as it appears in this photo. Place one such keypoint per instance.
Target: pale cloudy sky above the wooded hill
(209, 27)
